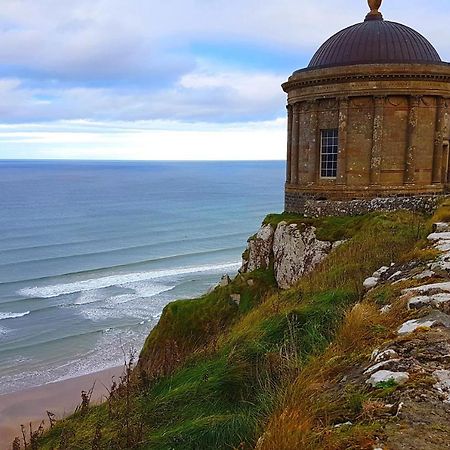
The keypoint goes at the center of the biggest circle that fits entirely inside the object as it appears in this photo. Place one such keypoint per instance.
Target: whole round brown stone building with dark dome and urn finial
(368, 122)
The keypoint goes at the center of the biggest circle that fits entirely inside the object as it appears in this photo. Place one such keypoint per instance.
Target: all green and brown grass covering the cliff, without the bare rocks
(249, 365)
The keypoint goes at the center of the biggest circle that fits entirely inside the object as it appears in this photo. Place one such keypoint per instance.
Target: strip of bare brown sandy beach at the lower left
(60, 398)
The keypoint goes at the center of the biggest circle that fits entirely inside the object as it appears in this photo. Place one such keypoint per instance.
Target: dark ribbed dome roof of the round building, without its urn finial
(372, 42)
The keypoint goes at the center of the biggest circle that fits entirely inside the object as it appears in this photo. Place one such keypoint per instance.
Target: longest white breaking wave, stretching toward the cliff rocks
(121, 280)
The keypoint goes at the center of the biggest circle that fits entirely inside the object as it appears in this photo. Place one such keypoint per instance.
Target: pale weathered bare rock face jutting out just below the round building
(292, 250)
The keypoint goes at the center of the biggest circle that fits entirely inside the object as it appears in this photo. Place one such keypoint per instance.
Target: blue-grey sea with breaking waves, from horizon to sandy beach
(91, 252)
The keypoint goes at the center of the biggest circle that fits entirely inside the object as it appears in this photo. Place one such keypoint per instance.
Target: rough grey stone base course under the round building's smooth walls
(310, 207)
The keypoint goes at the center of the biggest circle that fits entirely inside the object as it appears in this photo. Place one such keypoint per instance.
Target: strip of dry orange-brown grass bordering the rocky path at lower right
(314, 402)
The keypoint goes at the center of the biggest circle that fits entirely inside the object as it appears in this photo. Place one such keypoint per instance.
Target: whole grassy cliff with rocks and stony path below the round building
(334, 335)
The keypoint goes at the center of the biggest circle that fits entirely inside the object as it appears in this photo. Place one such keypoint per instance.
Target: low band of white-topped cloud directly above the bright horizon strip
(208, 94)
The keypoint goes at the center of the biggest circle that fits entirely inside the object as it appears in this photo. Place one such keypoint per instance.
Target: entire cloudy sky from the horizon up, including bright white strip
(174, 79)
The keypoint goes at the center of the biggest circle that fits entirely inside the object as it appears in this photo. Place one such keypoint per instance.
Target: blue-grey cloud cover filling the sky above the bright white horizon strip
(185, 60)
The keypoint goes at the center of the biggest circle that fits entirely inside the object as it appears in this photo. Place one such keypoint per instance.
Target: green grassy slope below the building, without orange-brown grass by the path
(212, 373)
